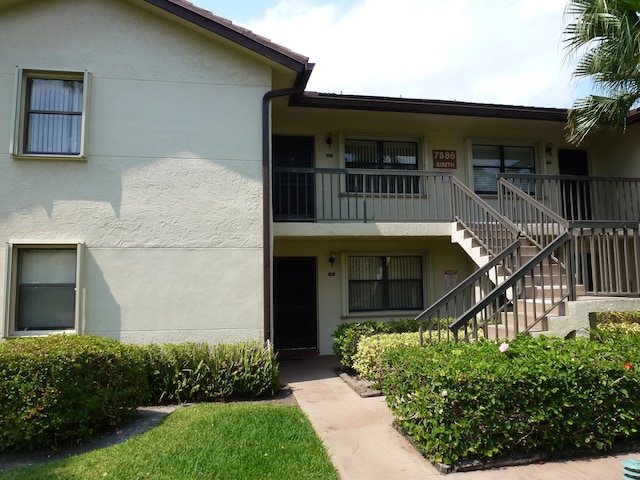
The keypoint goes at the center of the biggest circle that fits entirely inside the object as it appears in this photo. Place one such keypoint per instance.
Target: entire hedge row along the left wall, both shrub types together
(65, 387)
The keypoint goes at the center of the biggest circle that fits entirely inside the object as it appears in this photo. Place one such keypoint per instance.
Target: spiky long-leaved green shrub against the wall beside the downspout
(198, 372)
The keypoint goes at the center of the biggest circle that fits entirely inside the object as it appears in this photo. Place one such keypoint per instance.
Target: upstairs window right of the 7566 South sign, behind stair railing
(490, 160)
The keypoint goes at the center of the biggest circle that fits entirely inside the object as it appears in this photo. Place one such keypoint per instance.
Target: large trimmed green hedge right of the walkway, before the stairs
(464, 401)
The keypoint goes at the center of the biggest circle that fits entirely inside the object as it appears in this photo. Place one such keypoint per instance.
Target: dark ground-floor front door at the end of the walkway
(295, 317)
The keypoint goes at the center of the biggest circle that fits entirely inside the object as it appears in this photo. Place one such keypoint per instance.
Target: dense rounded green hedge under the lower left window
(64, 387)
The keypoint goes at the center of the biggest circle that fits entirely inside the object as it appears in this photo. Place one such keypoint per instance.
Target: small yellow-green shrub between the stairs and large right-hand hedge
(368, 360)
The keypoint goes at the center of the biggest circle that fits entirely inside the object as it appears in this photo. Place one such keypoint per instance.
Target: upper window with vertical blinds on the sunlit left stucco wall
(51, 114)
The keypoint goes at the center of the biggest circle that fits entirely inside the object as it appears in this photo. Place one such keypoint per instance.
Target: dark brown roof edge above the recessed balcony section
(434, 107)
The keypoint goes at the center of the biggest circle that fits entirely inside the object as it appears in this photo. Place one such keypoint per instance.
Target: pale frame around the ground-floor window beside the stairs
(344, 261)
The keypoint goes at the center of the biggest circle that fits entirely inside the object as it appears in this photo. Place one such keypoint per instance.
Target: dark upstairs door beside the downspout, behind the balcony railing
(293, 181)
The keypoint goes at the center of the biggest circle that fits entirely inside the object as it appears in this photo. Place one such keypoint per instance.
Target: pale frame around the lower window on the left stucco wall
(12, 250)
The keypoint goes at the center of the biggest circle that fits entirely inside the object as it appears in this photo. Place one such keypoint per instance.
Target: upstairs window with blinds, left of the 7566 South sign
(381, 155)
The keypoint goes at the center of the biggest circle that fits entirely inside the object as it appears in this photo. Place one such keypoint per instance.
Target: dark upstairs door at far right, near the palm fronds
(575, 192)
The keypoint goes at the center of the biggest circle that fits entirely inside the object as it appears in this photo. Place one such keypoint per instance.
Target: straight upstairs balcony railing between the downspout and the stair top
(357, 195)
